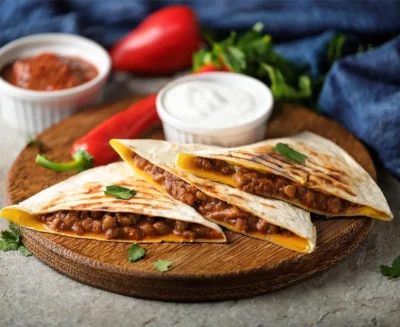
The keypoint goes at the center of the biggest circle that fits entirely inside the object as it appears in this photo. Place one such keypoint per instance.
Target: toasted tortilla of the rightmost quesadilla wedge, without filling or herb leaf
(328, 169)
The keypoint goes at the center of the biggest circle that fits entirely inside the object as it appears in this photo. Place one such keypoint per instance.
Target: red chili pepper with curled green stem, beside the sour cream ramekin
(94, 149)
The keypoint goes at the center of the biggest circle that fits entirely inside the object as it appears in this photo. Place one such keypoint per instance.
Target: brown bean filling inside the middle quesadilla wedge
(207, 206)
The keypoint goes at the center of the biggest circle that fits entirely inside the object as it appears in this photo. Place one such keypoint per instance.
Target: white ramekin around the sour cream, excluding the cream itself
(252, 131)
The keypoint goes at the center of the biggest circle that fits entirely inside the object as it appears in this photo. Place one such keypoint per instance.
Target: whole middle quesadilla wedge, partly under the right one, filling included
(266, 219)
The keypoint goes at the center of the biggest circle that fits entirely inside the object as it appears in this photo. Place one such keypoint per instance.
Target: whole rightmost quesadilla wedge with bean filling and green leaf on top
(306, 170)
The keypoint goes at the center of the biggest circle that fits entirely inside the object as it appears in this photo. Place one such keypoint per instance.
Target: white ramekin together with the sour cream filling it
(216, 108)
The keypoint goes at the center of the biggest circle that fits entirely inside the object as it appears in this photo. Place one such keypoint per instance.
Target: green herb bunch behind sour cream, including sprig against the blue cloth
(252, 53)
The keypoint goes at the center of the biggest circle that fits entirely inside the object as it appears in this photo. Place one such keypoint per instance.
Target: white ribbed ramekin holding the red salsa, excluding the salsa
(34, 111)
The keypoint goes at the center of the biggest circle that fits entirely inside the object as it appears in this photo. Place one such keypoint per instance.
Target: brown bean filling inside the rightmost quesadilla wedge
(269, 185)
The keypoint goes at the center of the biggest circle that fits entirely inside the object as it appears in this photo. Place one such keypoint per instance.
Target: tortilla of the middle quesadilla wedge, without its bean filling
(274, 212)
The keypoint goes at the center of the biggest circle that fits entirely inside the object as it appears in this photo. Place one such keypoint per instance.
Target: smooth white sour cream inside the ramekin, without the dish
(210, 103)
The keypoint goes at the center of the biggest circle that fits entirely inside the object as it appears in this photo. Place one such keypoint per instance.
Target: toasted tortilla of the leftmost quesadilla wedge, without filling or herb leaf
(85, 192)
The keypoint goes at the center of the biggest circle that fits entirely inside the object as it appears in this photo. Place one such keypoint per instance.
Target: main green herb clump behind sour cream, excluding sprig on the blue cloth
(252, 54)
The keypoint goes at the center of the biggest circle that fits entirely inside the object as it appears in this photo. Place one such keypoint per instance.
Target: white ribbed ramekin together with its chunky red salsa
(46, 77)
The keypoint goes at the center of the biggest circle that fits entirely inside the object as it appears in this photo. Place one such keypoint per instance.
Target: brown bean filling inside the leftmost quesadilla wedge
(124, 226)
